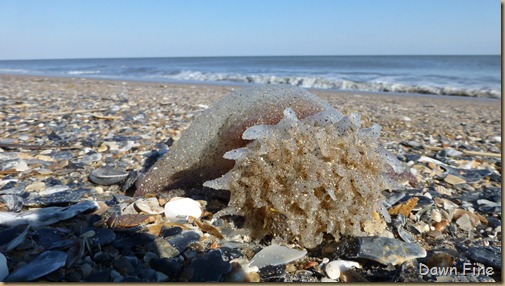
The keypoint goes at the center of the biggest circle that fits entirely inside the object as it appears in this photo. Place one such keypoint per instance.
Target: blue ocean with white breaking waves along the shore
(473, 76)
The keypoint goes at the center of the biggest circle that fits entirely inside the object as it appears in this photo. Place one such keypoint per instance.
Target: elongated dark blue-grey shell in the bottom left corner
(44, 264)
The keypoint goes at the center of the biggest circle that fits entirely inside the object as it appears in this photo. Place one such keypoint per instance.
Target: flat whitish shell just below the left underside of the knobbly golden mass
(276, 255)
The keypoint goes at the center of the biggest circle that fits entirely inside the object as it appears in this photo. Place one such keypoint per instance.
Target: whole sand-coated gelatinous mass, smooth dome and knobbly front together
(296, 167)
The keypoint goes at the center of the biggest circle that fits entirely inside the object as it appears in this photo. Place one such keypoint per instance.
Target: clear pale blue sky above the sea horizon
(43, 29)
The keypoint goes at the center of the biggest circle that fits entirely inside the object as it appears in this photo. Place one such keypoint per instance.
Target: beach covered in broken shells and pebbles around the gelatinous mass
(56, 132)
